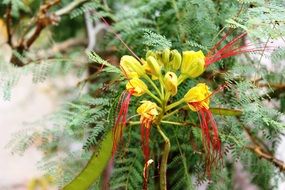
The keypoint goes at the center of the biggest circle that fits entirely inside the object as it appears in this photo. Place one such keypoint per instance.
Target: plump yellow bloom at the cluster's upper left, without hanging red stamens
(131, 67)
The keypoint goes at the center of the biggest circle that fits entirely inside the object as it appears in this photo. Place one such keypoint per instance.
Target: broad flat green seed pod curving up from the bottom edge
(94, 167)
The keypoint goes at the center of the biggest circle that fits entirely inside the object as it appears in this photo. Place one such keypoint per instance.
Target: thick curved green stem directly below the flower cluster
(163, 164)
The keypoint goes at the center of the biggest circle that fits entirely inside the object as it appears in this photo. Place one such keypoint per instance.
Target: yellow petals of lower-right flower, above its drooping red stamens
(198, 97)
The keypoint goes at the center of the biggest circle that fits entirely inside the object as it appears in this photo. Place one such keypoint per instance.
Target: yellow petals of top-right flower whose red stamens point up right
(193, 63)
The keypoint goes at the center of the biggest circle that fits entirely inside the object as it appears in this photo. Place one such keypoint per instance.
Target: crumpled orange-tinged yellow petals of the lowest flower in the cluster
(148, 111)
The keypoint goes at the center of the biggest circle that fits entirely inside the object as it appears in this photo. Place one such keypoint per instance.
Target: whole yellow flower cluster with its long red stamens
(157, 78)
